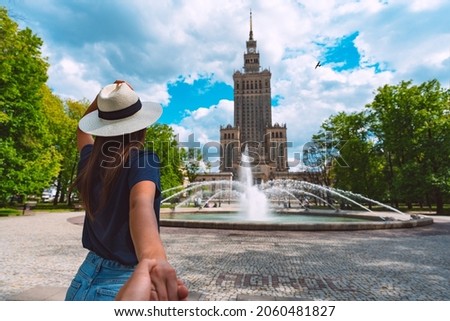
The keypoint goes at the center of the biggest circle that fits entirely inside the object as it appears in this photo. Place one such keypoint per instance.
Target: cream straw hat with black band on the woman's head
(120, 111)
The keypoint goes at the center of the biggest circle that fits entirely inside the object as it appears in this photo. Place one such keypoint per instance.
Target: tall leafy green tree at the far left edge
(28, 160)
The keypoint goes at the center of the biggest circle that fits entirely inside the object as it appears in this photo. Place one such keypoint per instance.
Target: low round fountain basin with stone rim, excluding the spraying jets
(290, 220)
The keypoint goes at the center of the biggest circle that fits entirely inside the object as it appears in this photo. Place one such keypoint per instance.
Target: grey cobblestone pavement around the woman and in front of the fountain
(44, 250)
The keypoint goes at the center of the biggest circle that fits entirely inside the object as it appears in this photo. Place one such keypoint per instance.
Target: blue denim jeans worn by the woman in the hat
(98, 279)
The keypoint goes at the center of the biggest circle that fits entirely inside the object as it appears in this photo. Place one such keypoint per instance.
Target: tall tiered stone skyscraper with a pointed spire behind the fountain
(266, 143)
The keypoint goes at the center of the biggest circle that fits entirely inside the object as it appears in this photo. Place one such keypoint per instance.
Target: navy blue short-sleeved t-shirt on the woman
(108, 235)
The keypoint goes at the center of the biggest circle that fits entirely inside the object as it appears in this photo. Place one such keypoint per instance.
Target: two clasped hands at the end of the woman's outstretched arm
(153, 280)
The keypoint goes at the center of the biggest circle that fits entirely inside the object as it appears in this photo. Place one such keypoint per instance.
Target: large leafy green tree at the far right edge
(411, 123)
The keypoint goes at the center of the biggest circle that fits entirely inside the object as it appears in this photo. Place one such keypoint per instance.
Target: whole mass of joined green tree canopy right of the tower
(398, 148)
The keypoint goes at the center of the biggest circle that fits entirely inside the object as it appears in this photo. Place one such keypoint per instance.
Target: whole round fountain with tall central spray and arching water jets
(278, 205)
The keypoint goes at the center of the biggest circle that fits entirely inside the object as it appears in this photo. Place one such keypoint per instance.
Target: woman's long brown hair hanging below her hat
(107, 159)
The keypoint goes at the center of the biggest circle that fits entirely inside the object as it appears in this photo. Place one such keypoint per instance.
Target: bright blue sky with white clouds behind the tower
(182, 54)
